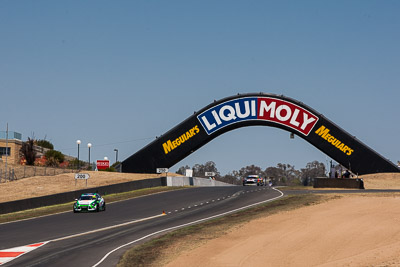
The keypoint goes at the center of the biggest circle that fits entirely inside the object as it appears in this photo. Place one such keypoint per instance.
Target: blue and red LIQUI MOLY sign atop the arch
(258, 108)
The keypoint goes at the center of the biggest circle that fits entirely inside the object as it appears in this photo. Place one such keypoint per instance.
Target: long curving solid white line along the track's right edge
(186, 224)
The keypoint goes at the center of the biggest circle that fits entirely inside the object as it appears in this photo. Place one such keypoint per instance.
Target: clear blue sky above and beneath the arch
(118, 73)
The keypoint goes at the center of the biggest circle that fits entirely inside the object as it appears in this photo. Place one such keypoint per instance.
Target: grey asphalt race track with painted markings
(120, 224)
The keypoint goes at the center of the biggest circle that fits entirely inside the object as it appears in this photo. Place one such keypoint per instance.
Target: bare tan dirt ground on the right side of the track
(353, 230)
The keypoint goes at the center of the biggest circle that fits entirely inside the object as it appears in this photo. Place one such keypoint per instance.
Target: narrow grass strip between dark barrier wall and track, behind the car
(48, 210)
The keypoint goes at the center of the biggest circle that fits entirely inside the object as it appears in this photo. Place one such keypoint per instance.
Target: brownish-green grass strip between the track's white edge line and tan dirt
(161, 250)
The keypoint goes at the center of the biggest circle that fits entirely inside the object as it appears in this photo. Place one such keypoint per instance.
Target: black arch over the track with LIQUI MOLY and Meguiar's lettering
(257, 109)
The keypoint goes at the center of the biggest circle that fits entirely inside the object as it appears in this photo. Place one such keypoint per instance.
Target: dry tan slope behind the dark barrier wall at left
(46, 185)
